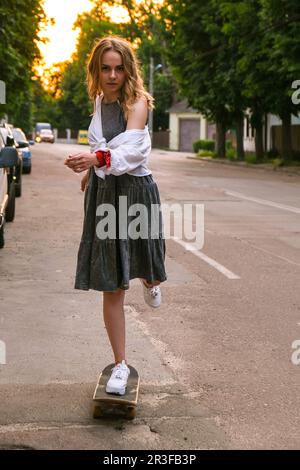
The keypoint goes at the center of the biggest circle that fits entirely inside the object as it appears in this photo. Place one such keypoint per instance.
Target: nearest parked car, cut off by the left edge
(9, 160)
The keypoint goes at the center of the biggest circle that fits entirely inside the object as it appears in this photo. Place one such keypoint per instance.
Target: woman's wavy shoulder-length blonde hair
(133, 87)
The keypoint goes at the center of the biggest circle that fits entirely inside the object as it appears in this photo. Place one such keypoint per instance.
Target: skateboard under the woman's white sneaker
(111, 404)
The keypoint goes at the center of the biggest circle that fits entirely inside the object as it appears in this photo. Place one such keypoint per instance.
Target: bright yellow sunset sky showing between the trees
(62, 37)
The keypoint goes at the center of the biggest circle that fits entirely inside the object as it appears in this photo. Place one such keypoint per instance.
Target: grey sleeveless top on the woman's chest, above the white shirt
(113, 120)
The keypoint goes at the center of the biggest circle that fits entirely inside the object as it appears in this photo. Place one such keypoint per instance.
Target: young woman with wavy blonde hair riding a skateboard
(118, 178)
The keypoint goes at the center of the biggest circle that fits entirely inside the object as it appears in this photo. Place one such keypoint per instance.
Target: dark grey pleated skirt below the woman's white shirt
(106, 264)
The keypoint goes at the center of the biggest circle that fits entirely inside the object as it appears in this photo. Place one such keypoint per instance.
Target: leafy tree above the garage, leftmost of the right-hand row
(203, 66)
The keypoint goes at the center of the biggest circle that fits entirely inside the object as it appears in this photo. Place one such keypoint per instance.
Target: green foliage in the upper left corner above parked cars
(20, 24)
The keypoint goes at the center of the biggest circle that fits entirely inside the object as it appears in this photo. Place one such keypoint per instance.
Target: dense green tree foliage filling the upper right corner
(233, 55)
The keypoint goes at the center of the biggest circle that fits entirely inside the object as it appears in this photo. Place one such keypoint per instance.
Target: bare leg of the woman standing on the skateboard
(114, 319)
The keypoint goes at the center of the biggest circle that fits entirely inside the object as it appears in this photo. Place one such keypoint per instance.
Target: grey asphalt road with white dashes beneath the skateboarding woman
(218, 370)
